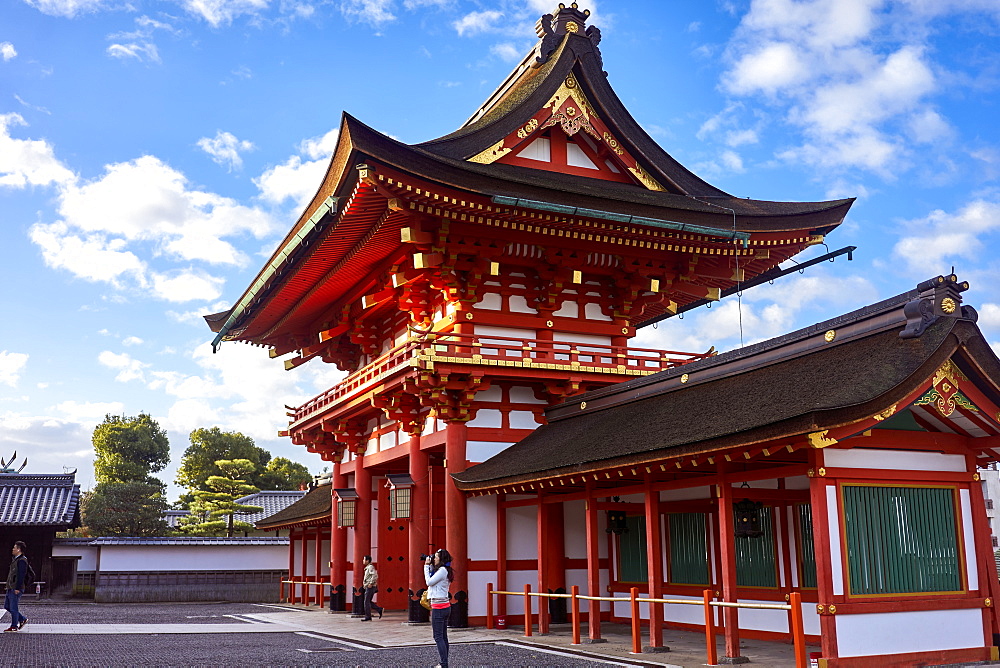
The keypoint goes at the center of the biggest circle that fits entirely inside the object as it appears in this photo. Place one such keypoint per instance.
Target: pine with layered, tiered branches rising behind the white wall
(214, 510)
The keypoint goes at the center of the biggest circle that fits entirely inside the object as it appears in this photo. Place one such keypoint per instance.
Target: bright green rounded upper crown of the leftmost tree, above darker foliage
(129, 449)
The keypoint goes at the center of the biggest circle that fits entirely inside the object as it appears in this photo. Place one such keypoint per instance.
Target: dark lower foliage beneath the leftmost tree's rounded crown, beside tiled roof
(125, 509)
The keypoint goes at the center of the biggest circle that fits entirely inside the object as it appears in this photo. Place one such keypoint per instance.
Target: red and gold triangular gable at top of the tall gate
(566, 135)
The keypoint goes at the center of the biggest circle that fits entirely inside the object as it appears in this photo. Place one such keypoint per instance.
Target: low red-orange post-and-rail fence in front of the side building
(794, 609)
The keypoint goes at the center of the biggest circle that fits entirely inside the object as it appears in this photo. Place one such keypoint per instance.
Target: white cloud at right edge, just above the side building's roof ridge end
(933, 242)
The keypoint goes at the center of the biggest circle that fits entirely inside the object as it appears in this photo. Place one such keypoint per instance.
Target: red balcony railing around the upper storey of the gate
(500, 351)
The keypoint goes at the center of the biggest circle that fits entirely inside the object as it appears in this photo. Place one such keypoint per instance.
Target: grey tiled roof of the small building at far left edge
(39, 500)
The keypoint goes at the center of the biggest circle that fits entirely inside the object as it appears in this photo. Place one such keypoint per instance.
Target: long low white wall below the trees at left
(195, 557)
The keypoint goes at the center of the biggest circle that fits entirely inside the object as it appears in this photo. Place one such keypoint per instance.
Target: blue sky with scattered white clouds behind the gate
(152, 154)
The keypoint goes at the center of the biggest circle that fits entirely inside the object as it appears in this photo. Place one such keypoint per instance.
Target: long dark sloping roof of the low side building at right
(784, 387)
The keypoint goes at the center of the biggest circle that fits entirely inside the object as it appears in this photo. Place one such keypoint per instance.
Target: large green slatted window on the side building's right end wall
(901, 539)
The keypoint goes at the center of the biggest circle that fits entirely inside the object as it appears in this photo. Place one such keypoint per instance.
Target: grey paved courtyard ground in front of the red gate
(231, 634)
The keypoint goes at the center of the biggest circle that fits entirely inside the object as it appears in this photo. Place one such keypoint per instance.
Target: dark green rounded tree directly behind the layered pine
(209, 446)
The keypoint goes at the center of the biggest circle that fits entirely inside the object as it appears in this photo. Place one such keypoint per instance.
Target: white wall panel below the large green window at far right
(899, 632)
